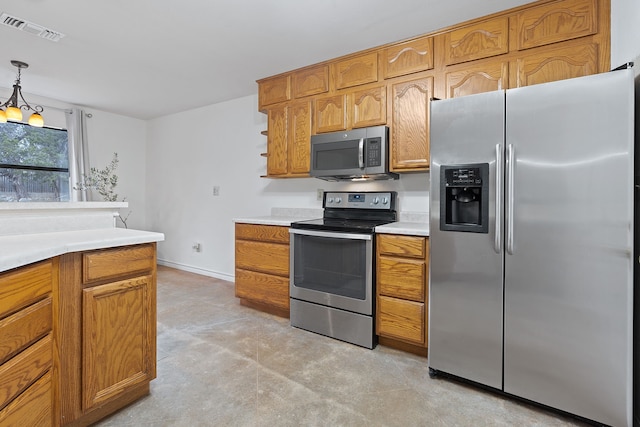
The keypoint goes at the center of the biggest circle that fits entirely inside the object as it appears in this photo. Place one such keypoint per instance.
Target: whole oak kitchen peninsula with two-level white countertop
(77, 312)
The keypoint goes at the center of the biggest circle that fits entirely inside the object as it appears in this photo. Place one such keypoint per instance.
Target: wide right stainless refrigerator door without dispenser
(568, 265)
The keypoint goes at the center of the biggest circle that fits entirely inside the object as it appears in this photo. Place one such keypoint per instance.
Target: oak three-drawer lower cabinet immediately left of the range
(262, 267)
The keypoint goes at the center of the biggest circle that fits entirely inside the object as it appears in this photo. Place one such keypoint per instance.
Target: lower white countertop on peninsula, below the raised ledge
(19, 250)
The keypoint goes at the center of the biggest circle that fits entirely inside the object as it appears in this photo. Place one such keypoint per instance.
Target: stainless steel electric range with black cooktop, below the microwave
(332, 259)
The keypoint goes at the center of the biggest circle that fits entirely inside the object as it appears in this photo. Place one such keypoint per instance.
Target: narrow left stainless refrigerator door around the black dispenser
(465, 284)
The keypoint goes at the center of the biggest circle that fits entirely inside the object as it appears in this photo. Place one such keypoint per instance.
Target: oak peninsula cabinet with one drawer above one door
(106, 331)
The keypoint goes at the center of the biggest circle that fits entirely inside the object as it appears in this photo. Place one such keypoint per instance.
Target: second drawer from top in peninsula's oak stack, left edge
(24, 327)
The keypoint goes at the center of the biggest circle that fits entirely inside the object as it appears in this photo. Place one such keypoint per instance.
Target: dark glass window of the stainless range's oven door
(335, 266)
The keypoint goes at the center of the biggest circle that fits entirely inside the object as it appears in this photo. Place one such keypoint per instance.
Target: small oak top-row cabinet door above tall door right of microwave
(408, 57)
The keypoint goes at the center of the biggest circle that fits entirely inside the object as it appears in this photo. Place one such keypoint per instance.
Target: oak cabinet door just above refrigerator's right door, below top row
(547, 65)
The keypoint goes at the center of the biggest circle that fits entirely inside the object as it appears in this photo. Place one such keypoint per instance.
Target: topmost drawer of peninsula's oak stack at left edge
(24, 286)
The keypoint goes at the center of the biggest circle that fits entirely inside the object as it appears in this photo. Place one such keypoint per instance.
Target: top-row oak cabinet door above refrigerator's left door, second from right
(482, 40)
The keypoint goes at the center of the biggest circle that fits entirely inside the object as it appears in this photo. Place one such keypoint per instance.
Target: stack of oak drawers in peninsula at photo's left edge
(27, 295)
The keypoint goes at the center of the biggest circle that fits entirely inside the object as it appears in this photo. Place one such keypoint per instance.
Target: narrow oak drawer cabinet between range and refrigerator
(402, 291)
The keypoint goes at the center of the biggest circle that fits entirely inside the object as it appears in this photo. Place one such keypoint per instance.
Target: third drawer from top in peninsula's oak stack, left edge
(22, 370)
